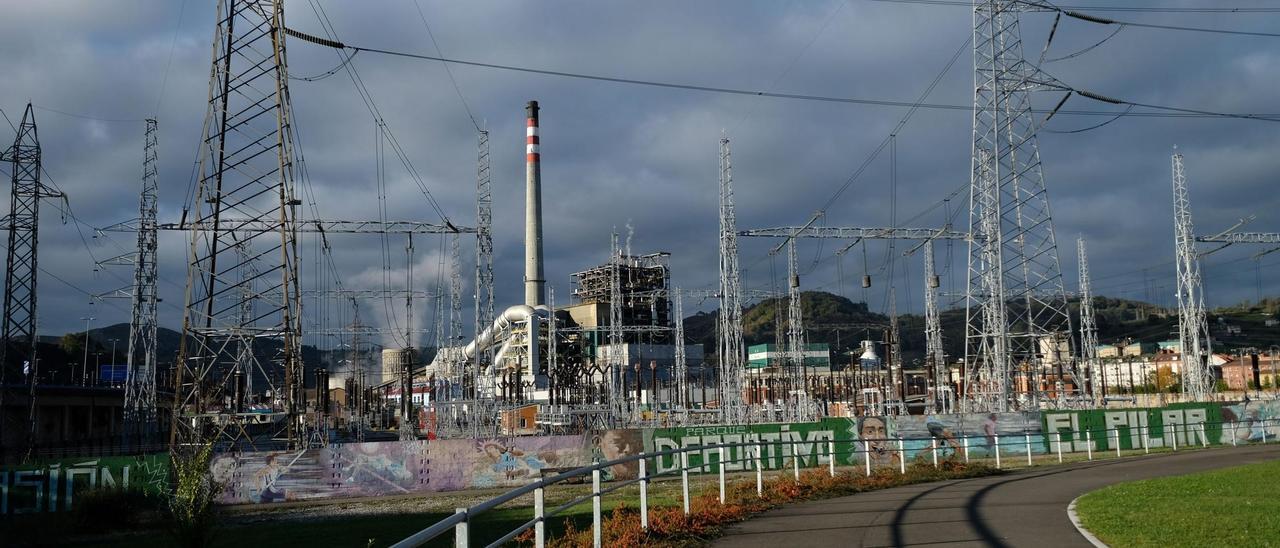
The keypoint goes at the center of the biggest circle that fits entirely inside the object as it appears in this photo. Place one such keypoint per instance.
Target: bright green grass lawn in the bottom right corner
(1237, 506)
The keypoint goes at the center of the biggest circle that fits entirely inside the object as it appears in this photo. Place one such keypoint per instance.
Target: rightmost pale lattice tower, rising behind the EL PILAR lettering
(1192, 328)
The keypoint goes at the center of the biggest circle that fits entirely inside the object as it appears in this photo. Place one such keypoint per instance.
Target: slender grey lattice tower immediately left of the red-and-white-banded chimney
(484, 254)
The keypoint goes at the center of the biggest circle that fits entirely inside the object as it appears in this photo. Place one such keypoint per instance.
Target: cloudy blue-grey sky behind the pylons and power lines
(643, 161)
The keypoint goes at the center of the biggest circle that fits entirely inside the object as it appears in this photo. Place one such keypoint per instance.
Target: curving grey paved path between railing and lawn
(1023, 509)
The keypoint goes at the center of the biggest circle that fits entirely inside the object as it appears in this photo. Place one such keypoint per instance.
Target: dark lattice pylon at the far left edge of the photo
(19, 350)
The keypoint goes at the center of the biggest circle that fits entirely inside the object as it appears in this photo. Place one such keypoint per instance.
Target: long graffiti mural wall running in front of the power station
(397, 468)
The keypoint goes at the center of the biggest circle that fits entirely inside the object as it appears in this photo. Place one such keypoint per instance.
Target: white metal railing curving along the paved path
(752, 455)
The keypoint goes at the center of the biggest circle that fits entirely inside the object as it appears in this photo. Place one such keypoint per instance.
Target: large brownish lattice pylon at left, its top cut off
(246, 173)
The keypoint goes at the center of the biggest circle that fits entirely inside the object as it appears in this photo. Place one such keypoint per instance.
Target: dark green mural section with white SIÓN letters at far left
(52, 486)
